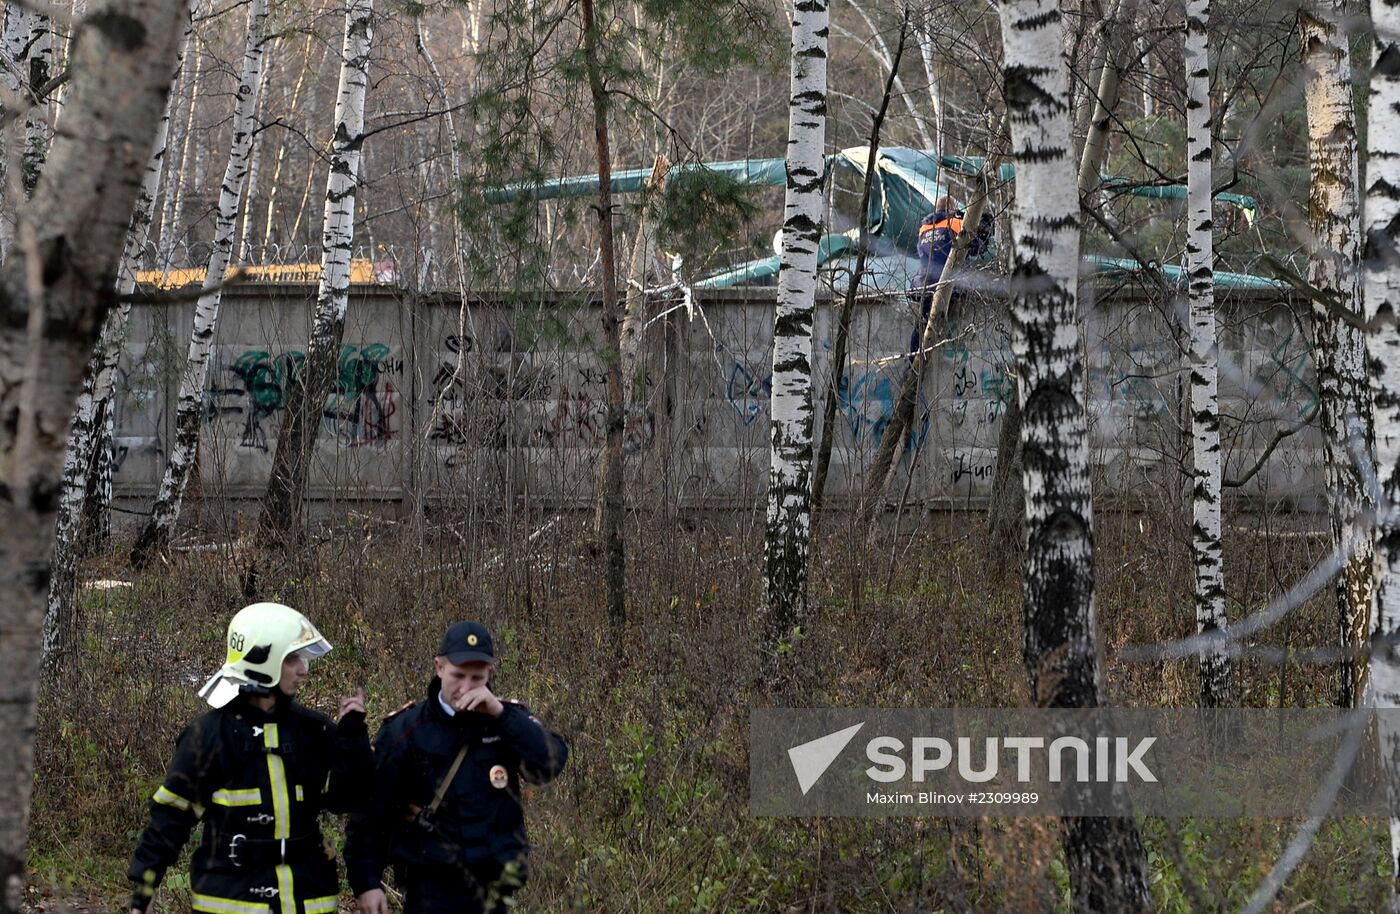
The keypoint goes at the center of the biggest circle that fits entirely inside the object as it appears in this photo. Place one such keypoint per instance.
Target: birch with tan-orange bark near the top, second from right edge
(1339, 348)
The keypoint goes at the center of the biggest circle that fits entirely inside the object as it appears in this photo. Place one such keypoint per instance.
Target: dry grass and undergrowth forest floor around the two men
(653, 811)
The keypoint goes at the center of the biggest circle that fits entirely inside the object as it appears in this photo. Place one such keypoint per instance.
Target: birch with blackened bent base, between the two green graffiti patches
(302, 419)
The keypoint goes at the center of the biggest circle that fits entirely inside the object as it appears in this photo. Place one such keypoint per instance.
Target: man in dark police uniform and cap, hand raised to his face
(449, 775)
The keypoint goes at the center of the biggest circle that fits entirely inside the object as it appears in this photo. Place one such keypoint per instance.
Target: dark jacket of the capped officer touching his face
(481, 821)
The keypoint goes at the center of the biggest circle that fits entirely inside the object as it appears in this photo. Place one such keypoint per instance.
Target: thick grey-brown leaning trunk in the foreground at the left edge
(73, 227)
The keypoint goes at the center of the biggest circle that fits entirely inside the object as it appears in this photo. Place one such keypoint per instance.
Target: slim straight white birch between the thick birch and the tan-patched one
(1206, 422)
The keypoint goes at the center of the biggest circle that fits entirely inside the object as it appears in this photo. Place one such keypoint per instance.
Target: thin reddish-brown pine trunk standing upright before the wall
(610, 478)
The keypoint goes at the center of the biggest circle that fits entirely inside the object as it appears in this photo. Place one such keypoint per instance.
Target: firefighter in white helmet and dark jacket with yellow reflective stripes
(257, 771)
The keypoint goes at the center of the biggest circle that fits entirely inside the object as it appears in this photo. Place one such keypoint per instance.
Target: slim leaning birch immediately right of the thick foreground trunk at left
(90, 435)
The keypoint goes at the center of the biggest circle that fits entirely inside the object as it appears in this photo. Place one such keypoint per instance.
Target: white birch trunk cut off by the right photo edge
(1382, 304)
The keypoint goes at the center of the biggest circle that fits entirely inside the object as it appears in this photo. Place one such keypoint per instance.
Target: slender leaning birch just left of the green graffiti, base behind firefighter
(191, 407)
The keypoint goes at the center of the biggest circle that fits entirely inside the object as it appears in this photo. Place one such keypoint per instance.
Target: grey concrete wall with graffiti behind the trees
(526, 415)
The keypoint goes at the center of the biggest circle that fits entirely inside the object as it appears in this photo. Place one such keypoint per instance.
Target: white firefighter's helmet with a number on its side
(260, 639)
